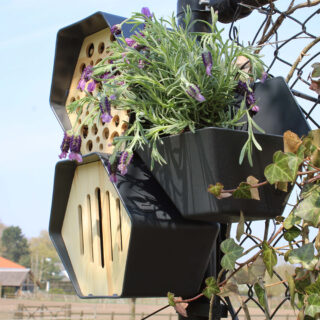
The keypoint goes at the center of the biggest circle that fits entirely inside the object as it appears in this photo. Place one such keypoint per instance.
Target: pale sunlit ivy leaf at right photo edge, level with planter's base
(309, 208)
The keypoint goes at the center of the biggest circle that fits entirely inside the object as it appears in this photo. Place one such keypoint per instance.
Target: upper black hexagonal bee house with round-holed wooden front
(85, 43)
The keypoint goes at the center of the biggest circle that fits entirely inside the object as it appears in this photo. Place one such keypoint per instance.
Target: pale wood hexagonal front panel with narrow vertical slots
(116, 227)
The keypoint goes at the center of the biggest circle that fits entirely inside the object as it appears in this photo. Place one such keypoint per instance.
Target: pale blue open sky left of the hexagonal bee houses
(30, 135)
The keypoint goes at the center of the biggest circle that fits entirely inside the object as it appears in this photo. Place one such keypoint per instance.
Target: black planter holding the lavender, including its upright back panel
(211, 155)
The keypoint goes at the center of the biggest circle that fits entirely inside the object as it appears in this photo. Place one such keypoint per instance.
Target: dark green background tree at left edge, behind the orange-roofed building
(15, 245)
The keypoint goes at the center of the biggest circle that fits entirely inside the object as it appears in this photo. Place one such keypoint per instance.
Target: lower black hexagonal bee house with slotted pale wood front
(125, 239)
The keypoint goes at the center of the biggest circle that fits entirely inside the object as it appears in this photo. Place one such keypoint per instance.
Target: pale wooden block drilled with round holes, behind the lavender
(99, 137)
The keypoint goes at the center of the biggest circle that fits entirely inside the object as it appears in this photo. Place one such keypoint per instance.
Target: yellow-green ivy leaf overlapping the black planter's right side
(279, 170)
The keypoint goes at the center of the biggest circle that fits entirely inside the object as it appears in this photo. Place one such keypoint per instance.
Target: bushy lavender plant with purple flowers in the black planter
(171, 81)
